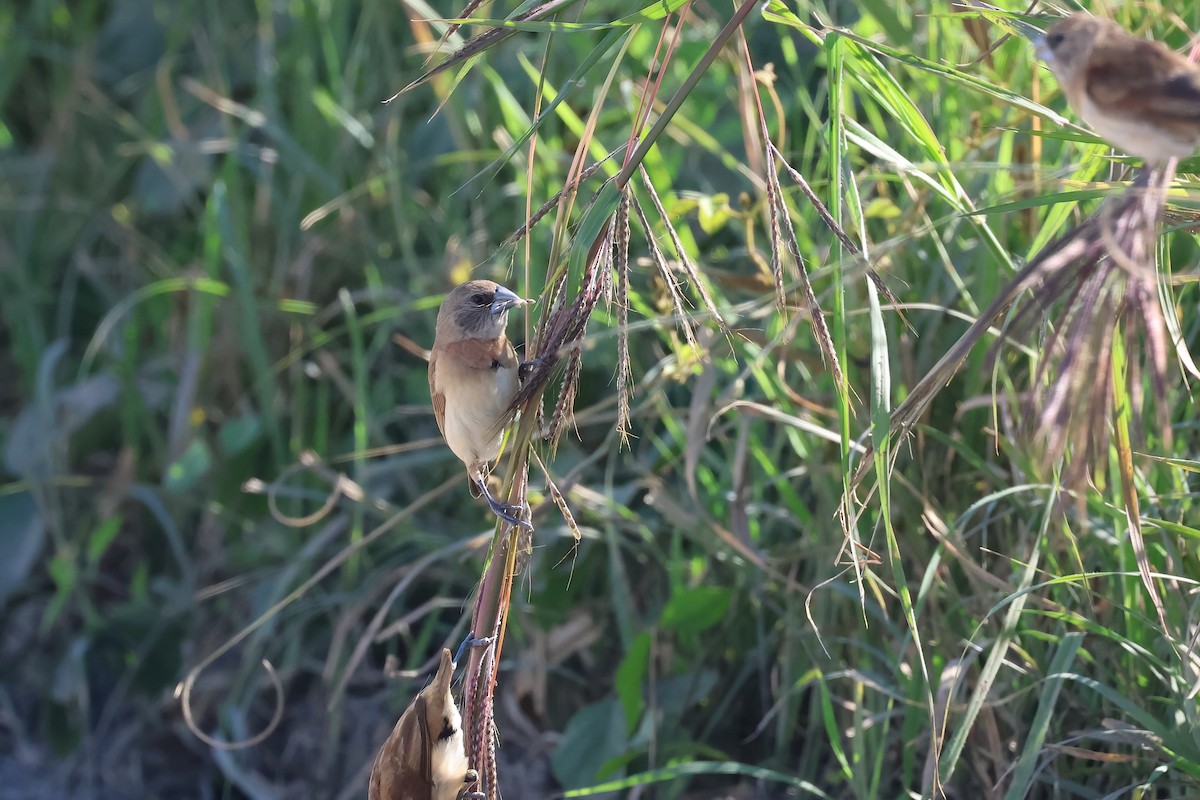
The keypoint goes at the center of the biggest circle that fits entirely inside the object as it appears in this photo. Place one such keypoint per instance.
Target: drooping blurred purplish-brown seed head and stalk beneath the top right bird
(1102, 272)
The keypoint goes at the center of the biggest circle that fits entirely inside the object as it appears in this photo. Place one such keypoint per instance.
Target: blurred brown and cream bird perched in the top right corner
(1137, 94)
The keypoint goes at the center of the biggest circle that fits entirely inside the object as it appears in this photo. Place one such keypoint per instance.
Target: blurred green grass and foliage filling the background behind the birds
(213, 232)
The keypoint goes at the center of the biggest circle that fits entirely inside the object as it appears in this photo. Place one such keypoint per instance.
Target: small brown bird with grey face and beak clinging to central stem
(475, 375)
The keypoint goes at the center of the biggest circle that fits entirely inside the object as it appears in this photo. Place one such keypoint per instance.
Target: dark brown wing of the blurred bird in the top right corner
(1139, 77)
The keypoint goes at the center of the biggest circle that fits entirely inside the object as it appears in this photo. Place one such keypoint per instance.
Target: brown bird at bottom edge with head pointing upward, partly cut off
(425, 759)
